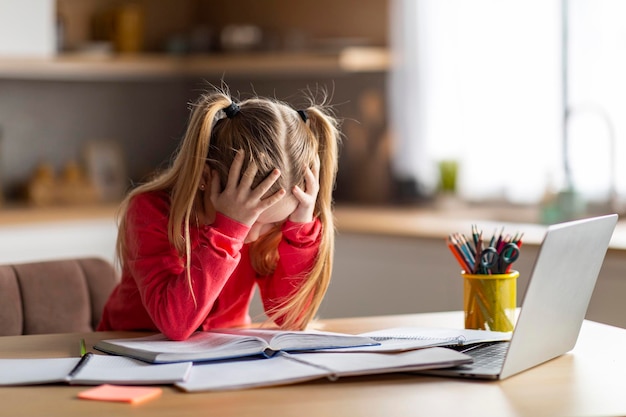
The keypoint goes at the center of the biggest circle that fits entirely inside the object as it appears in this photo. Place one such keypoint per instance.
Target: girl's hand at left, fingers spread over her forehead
(239, 200)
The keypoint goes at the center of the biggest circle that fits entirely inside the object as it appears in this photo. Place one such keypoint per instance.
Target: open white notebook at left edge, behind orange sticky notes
(90, 369)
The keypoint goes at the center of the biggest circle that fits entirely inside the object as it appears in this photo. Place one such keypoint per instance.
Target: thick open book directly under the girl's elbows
(228, 344)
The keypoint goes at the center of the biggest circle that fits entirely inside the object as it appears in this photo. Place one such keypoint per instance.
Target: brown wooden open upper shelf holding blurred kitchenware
(143, 39)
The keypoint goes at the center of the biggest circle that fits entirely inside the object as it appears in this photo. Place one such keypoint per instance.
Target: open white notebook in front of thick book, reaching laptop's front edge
(290, 368)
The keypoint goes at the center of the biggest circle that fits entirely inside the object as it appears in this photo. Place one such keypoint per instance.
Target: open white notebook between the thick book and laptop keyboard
(400, 339)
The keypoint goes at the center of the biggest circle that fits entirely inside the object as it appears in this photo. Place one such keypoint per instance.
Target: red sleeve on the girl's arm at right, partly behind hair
(297, 251)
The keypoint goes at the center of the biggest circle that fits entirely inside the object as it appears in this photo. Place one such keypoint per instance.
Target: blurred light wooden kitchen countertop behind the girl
(404, 221)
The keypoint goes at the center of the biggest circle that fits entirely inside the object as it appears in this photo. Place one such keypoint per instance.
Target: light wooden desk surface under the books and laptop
(585, 382)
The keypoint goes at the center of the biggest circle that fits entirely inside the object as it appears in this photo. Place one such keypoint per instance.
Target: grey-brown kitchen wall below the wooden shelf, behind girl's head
(50, 121)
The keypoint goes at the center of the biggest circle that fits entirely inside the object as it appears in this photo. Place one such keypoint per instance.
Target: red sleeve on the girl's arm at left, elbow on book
(160, 271)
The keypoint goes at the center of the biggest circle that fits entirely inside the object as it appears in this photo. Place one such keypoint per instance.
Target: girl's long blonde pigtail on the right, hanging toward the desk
(299, 310)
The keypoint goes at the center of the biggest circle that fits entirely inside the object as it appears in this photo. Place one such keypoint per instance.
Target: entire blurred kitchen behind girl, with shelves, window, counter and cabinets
(454, 111)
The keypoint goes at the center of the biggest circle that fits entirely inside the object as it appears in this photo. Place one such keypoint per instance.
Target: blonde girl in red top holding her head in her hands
(247, 200)
